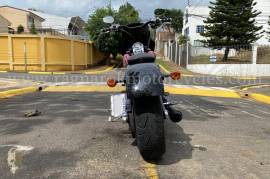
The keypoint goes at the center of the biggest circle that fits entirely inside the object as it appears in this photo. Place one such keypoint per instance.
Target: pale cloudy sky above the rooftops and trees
(83, 8)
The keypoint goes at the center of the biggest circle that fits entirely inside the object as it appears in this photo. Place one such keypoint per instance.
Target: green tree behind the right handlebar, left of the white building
(175, 14)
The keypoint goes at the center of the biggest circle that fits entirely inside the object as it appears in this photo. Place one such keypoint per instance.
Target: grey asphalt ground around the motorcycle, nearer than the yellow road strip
(72, 138)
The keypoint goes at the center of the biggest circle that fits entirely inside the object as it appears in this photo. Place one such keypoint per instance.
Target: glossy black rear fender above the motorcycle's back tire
(144, 79)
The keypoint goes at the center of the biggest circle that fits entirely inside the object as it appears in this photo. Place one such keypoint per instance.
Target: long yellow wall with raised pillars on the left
(46, 53)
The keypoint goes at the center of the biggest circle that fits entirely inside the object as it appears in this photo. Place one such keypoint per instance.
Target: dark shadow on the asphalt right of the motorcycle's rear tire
(178, 145)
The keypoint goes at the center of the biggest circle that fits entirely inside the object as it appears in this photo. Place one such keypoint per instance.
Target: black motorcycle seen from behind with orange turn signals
(146, 105)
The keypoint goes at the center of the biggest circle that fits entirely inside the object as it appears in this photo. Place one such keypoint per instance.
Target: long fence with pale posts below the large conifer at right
(237, 54)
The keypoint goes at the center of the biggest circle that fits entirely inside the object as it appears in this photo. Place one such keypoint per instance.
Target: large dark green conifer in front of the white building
(231, 23)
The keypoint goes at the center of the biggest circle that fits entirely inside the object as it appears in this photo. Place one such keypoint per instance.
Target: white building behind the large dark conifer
(194, 16)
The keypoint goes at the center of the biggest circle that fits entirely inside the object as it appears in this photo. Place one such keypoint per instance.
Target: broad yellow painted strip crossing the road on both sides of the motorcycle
(171, 90)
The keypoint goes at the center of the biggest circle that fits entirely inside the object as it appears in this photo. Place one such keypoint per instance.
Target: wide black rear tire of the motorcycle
(149, 122)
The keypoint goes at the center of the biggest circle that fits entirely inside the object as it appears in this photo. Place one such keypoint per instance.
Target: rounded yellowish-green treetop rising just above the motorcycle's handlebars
(127, 14)
